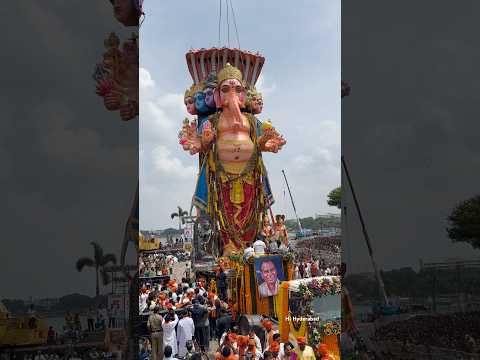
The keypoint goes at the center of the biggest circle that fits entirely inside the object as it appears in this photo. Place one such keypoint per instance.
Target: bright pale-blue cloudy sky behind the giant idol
(300, 83)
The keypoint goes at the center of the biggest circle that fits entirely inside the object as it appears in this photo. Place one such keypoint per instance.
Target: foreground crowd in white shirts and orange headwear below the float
(184, 335)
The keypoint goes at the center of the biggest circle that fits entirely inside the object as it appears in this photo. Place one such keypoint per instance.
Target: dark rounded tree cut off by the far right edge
(464, 222)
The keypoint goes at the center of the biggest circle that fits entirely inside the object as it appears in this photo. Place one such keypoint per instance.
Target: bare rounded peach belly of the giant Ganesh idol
(235, 149)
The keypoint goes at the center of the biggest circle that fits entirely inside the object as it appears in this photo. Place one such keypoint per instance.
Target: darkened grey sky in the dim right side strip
(409, 128)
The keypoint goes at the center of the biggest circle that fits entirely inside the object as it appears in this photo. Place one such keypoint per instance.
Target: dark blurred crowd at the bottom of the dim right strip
(440, 331)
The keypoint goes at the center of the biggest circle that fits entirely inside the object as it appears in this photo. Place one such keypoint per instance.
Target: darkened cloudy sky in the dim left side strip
(69, 167)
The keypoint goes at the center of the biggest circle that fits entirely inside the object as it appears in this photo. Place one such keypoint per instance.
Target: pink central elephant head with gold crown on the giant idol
(230, 93)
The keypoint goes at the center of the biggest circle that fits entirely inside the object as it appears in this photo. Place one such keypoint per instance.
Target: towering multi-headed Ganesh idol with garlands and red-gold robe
(232, 189)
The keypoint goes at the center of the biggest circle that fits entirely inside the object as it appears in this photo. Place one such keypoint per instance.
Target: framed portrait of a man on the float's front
(269, 274)
